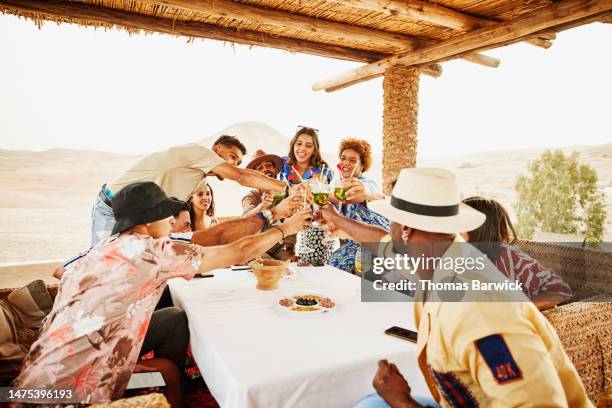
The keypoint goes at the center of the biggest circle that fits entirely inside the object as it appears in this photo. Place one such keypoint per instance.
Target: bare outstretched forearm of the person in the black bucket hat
(247, 248)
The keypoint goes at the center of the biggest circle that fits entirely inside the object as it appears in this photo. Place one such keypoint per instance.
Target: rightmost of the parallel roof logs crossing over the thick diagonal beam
(431, 13)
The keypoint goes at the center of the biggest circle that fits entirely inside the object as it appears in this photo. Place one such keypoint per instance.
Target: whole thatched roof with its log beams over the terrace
(356, 30)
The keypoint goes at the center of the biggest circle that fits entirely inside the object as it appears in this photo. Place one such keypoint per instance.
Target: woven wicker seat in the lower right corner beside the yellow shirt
(585, 330)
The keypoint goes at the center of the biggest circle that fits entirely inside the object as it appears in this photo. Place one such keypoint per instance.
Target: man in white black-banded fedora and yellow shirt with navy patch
(499, 353)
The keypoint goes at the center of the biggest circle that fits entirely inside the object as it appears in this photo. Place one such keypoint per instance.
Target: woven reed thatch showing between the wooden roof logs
(334, 11)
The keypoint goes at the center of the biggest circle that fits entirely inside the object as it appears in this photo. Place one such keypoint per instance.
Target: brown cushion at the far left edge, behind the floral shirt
(21, 314)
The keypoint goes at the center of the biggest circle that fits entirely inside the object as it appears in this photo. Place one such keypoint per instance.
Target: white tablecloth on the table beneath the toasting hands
(252, 354)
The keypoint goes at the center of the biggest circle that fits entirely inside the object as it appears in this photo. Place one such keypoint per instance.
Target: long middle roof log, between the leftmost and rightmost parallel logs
(383, 40)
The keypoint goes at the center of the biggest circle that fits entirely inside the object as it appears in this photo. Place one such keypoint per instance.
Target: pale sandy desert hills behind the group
(46, 197)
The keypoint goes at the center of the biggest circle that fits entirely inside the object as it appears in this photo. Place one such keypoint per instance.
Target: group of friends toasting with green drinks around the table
(157, 221)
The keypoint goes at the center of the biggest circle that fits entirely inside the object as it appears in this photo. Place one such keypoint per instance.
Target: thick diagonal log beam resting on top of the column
(564, 12)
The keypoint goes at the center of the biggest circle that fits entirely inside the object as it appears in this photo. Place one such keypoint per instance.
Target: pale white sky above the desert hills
(73, 87)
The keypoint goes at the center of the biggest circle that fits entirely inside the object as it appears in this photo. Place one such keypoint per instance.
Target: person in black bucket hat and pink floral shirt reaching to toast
(103, 318)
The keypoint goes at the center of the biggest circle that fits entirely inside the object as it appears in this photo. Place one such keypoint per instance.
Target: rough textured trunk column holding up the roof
(400, 117)
